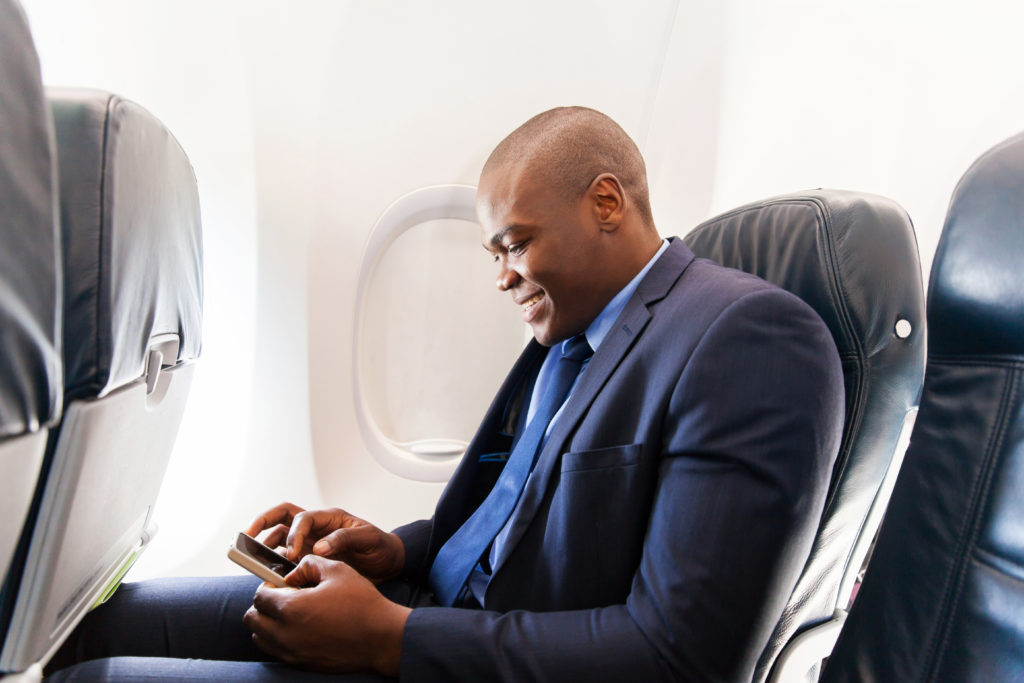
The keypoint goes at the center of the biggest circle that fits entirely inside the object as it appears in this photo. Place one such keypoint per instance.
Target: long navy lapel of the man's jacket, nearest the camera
(617, 345)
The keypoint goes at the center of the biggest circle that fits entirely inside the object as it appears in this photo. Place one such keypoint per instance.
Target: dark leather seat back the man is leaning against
(854, 258)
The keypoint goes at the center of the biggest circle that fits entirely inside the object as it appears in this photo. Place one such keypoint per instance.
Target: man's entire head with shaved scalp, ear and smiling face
(564, 210)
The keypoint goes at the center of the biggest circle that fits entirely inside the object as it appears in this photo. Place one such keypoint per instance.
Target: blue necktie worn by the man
(460, 554)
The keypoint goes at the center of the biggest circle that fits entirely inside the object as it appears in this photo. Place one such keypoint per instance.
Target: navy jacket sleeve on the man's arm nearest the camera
(749, 438)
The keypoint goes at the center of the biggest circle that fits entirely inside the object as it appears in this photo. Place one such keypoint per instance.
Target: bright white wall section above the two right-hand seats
(895, 98)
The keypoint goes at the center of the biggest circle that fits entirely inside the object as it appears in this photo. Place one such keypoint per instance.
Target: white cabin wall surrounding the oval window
(306, 120)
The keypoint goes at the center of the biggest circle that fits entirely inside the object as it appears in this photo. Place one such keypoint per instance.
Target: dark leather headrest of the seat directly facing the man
(133, 241)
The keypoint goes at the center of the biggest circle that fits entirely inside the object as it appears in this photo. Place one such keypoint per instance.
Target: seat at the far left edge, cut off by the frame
(30, 279)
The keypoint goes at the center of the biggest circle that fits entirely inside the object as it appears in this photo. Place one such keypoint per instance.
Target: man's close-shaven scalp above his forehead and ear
(569, 147)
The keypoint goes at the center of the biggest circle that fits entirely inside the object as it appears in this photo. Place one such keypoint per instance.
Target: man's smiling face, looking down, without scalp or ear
(548, 251)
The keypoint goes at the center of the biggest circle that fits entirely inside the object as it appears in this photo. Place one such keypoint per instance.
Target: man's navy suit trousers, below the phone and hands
(186, 630)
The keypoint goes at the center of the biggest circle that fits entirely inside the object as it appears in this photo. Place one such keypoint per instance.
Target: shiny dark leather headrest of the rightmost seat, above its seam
(976, 295)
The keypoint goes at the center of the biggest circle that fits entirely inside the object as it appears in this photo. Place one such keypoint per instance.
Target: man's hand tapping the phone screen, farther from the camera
(334, 534)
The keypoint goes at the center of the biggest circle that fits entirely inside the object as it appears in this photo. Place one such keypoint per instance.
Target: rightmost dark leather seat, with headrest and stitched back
(944, 597)
